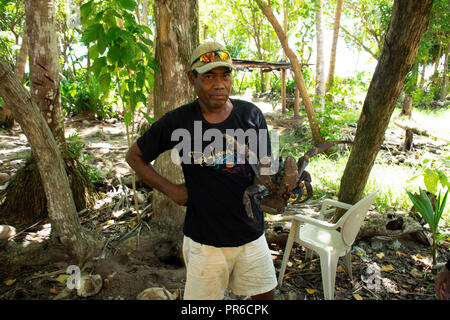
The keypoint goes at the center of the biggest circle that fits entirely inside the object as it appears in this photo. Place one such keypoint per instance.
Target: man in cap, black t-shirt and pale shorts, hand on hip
(223, 247)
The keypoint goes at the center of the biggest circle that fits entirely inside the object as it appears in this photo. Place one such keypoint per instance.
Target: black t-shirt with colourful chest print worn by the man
(215, 213)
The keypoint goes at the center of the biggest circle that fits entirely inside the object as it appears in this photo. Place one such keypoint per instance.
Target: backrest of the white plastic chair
(354, 217)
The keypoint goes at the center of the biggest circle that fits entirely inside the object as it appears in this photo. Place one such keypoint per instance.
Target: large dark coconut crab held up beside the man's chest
(271, 193)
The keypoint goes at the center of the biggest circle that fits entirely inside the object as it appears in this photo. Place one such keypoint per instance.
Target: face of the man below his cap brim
(213, 87)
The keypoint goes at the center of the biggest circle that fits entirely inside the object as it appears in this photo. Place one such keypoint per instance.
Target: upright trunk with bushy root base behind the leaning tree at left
(32, 205)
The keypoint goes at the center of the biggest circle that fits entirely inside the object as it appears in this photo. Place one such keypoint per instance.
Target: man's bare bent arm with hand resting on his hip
(176, 192)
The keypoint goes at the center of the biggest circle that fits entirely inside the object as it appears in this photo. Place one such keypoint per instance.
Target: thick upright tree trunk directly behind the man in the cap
(177, 37)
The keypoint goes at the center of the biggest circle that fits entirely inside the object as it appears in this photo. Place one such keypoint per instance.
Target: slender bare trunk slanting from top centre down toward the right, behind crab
(299, 80)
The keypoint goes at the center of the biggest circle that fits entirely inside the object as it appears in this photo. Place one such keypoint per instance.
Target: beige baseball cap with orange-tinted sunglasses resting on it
(210, 55)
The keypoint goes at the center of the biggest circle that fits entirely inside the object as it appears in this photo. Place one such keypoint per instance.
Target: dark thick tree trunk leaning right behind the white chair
(409, 21)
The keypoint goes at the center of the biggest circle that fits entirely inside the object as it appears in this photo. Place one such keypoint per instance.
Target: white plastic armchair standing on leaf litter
(324, 238)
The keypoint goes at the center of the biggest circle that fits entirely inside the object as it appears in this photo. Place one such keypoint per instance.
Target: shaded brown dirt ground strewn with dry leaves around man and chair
(383, 268)
